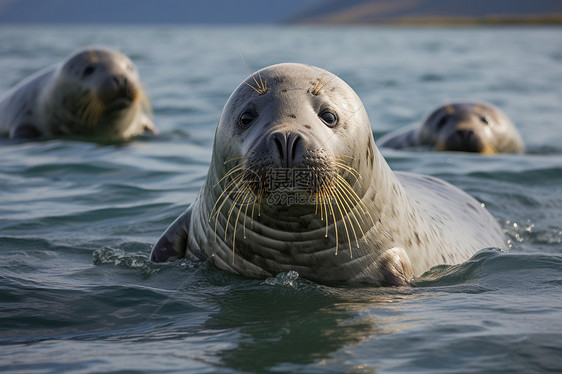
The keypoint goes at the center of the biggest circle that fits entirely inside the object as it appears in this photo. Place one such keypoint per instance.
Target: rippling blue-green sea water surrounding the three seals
(78, 219)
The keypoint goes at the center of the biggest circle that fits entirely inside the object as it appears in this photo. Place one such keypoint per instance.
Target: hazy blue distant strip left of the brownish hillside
(149, 11)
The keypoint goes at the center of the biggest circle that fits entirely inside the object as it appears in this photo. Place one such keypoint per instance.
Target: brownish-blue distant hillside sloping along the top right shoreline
(431, 12)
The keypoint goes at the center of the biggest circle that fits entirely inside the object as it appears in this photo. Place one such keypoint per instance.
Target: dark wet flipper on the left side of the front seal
(173, 243)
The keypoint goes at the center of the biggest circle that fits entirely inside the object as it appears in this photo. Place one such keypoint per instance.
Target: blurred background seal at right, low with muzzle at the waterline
(466, 127)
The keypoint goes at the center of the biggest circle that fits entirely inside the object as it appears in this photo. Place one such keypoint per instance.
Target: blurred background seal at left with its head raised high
(95, 93)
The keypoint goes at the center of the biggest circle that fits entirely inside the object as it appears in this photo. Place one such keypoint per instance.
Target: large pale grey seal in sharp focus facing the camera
(297, 183)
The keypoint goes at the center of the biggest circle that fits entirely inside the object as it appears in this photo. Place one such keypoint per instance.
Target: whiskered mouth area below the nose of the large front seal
(321, 190)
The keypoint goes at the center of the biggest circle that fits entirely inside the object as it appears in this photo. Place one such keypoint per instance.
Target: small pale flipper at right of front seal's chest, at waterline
(395, 267)
